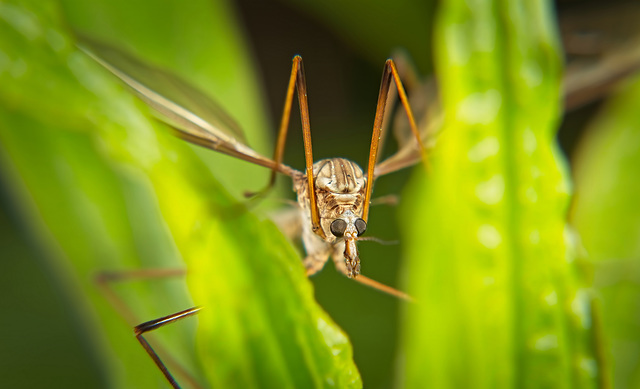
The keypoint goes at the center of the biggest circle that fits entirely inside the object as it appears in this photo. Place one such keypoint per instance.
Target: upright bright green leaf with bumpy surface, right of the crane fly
(492, 266)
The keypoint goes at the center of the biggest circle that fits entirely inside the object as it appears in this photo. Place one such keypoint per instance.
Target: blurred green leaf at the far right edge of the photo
(607, 216)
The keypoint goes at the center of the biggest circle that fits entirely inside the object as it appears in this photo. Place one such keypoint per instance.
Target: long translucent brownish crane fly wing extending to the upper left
(192, 114)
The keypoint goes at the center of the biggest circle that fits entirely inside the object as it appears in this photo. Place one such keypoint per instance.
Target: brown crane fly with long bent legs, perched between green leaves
(333, 195)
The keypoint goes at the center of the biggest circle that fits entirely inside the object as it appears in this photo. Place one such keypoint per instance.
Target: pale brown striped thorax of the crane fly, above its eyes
(340, 186)
